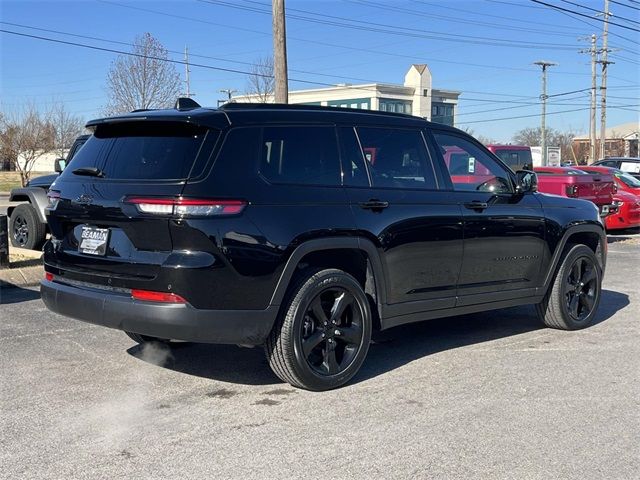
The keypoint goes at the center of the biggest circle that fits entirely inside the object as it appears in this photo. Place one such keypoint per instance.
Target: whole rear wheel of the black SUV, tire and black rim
(322, 335)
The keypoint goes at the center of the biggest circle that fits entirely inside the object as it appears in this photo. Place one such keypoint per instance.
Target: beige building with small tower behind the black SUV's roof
(416, 97)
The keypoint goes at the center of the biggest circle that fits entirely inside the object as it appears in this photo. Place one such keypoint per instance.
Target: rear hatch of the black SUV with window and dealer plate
(97, 211)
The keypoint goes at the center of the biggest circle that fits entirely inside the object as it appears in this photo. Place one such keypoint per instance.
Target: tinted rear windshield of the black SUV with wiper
(142, 151)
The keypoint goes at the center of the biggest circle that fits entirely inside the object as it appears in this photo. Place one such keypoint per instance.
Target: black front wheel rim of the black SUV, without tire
(581, 289)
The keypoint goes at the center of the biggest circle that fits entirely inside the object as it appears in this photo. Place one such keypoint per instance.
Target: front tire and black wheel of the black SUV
(572, 300)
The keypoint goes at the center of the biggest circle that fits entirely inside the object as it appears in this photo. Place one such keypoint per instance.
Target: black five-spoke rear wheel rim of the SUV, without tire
(332, 331)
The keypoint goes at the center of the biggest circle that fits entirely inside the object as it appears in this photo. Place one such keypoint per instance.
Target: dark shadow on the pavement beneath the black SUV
(392, 349)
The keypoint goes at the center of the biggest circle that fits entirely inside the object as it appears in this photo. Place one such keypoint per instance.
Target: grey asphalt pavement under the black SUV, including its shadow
(491, 395)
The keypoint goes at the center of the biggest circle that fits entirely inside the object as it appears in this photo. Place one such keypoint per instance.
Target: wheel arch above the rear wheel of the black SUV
(337, 252)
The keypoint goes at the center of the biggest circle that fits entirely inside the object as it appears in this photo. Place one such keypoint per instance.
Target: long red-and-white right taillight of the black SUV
(186, 206)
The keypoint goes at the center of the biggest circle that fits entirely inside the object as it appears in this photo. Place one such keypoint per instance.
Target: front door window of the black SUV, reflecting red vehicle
(470, 168)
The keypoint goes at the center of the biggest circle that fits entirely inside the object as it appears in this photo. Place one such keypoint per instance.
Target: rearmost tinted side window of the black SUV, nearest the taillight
(300, 155)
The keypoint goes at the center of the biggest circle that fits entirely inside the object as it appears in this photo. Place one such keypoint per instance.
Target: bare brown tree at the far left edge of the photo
(25, 136)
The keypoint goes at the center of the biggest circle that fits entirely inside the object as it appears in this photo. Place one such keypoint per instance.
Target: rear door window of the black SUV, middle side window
(397, 158)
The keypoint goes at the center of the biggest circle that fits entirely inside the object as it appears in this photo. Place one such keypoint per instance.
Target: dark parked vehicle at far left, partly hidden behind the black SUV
(27, 223)
